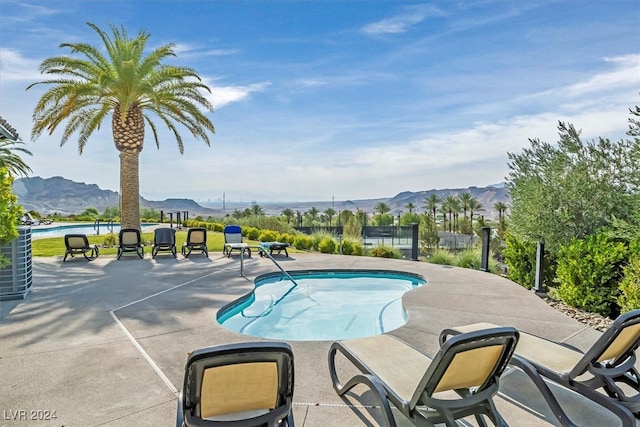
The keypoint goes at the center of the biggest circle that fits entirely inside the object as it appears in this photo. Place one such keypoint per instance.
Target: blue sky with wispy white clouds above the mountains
(317, 100)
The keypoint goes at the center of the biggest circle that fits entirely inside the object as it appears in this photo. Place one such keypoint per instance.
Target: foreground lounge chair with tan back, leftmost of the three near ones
(241, 384)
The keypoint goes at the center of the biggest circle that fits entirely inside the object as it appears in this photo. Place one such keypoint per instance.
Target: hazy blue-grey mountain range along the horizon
(66, 197)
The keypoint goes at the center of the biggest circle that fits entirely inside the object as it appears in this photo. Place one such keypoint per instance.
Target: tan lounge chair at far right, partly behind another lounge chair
(606, 373)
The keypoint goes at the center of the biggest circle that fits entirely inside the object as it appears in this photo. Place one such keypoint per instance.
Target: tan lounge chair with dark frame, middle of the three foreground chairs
(469, 364)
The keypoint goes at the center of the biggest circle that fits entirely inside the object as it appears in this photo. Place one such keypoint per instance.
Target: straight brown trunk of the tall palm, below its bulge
(129, 189)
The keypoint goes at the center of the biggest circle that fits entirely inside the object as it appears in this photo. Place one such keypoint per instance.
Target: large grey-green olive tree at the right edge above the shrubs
(570, 190)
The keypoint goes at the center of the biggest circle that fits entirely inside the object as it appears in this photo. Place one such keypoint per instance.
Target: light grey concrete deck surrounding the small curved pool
(103, 343)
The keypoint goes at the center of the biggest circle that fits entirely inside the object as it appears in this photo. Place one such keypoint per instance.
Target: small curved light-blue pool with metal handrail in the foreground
(322, 305)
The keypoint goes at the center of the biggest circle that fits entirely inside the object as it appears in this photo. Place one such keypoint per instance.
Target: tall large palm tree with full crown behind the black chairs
(126, 85)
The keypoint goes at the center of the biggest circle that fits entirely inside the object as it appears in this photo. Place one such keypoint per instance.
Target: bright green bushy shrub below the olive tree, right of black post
(589, 272)
